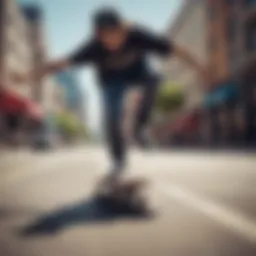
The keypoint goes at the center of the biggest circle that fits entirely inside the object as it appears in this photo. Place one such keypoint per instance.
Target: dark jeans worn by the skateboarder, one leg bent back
(114, 93)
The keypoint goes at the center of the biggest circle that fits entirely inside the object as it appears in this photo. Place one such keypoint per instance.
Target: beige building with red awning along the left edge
(22, 48)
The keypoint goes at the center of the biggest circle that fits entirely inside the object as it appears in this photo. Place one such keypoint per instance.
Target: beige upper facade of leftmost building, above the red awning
(15, 46)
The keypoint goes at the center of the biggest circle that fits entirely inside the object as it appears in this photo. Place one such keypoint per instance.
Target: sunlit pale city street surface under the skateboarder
(205, 205)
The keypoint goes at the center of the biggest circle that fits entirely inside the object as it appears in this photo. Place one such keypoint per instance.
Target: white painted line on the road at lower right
(229, 218)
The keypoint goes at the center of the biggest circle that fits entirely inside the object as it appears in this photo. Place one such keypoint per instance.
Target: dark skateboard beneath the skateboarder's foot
(126, 196)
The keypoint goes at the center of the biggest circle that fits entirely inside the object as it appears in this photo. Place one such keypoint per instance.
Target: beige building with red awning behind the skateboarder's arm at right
(189, 30)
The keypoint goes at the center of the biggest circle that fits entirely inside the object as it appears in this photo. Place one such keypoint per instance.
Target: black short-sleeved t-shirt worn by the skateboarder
(129, 63)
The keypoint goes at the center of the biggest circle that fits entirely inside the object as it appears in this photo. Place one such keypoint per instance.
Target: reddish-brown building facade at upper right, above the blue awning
(231, 35)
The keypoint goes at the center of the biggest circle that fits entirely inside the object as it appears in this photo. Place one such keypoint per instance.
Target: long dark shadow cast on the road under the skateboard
(91, 211)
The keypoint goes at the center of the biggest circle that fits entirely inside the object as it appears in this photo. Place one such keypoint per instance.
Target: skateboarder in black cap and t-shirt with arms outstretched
(119, 53)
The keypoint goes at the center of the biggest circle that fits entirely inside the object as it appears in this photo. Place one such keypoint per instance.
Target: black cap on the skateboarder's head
(107, 18)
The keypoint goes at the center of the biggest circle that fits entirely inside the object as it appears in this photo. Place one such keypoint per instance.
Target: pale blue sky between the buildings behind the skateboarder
(68, 24)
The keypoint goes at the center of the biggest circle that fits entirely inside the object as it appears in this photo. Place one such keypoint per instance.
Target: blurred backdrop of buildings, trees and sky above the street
(66, 107)
